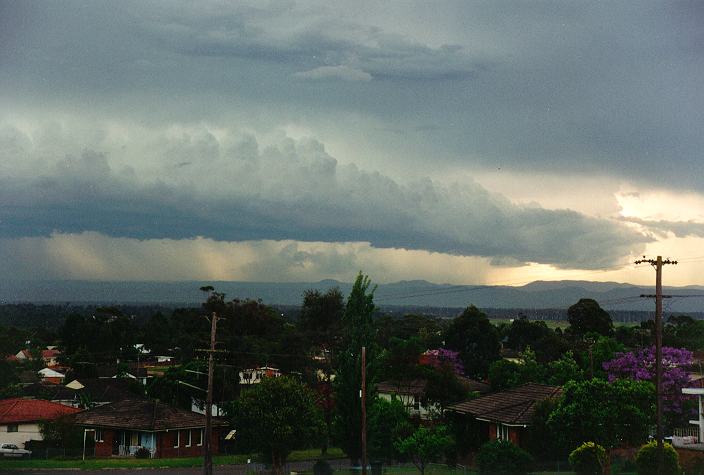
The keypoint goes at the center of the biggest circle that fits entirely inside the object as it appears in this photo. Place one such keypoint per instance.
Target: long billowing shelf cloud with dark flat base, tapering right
(233, 189)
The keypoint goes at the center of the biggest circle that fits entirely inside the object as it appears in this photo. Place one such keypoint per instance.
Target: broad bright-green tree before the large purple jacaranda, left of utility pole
(609, 414)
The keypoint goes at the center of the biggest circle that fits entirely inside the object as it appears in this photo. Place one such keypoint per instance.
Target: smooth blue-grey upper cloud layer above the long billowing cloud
(558, 87)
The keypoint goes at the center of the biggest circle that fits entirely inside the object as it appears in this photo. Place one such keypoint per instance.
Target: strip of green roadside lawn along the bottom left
(92, 464)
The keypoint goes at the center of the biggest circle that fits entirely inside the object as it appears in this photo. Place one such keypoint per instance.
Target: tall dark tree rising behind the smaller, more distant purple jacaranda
(476, 339)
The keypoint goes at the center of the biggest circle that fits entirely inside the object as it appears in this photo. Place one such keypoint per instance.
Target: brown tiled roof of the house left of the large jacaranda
(514, 406)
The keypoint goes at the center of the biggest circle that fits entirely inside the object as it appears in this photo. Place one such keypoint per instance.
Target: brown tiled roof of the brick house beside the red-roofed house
(142, 415)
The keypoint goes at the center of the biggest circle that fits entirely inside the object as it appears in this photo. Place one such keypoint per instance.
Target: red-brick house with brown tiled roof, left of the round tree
(123, 427)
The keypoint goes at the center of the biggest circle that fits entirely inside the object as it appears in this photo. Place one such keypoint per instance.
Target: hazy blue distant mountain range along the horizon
(415, 293)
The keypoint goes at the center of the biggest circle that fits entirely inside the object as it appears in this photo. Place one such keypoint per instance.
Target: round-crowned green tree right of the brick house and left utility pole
(275, 417)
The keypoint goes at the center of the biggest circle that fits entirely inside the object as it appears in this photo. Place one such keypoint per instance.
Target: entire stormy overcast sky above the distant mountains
(463, 142)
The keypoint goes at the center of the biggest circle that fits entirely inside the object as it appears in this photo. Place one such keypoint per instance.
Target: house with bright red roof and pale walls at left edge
(20, 418)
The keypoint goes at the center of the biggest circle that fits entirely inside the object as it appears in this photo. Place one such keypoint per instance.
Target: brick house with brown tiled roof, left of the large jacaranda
(505, 415)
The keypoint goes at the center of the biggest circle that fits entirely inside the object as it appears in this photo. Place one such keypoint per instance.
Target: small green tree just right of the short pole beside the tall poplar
(387, 421)
